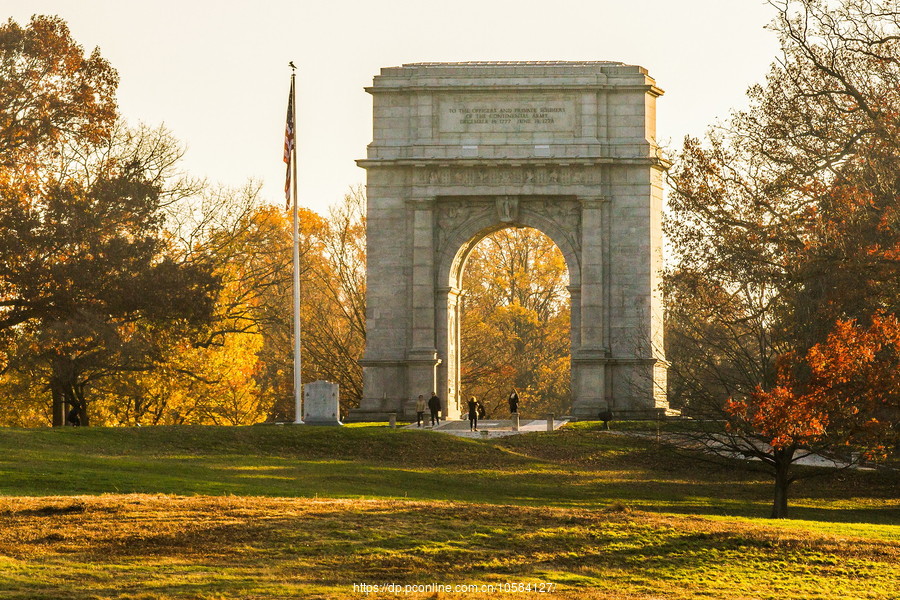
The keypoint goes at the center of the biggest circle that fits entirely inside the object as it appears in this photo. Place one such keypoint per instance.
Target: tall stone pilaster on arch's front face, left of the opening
(422, 359)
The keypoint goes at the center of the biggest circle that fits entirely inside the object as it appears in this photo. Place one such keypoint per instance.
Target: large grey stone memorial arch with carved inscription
(461, 150)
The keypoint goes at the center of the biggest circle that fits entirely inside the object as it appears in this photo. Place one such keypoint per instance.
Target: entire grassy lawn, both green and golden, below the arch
(287, 512)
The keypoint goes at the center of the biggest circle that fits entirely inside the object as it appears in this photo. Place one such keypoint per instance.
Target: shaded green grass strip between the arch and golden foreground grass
(577, 467)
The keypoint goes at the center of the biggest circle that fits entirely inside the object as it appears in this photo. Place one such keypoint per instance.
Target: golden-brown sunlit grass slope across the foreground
(161, 547)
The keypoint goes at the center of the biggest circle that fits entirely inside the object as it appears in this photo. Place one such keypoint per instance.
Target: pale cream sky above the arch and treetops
(216, 73)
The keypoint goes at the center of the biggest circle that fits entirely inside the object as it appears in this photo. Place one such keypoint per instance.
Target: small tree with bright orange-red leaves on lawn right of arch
(840, 402)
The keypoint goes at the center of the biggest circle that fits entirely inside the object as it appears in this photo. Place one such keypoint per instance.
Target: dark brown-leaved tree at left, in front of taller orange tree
(93, 268)
